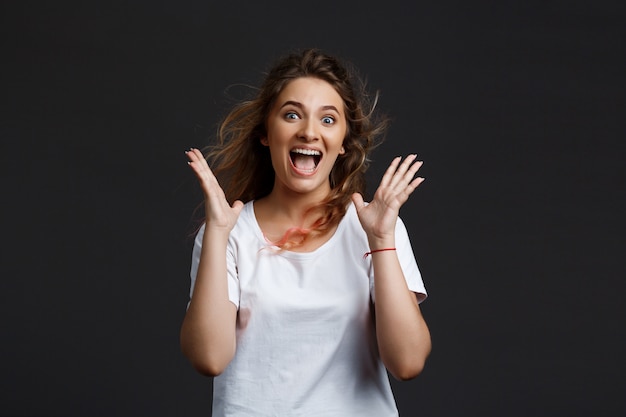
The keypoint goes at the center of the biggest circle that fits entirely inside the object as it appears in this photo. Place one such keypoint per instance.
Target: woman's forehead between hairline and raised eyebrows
(311, 92)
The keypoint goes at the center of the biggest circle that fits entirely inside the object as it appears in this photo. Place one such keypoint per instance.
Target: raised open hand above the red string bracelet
(378, 218)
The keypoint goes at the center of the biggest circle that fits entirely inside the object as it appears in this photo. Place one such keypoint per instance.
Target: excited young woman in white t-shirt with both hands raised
(303, 296)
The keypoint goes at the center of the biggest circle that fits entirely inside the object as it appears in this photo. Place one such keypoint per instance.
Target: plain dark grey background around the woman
(517, 109)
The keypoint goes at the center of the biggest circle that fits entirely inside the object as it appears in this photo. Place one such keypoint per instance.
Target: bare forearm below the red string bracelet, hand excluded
(403, 336)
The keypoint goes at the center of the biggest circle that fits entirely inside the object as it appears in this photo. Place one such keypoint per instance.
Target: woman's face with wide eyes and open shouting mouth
(305, 132)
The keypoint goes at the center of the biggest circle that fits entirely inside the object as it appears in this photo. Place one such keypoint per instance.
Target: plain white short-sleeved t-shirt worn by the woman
(306, 343)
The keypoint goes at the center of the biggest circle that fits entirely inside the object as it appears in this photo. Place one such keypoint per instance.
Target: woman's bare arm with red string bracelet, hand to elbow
(402, 334)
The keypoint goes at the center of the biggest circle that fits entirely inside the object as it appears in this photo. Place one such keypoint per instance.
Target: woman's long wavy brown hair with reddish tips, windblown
(243, 166)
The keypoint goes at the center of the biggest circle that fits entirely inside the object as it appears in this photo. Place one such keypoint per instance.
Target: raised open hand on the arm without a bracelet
(219, 215)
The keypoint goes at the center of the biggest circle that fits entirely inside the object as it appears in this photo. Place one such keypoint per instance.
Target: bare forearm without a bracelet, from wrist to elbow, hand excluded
(208, 329)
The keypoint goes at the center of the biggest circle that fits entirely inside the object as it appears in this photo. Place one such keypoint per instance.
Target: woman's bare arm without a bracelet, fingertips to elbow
(207, 335)
